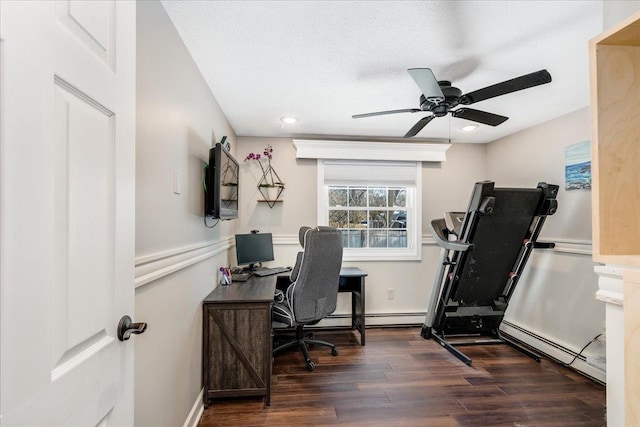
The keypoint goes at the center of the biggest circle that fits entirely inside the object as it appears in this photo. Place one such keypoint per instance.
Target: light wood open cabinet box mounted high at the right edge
(615, 130)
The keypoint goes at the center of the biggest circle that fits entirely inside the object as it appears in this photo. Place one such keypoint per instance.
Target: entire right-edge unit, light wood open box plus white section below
(615, 133)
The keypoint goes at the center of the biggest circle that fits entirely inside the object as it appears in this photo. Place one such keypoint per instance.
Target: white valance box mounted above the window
(353, 150)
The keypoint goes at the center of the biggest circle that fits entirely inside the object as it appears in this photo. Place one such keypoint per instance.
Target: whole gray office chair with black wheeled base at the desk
(313, 292)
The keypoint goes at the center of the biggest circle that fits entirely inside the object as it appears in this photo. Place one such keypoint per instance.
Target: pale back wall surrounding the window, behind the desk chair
(445, 187)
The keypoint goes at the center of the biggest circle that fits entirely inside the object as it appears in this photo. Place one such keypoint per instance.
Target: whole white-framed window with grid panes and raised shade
(375, 205)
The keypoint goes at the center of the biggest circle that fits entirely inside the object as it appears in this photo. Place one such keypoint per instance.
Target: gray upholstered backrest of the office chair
(314, 292)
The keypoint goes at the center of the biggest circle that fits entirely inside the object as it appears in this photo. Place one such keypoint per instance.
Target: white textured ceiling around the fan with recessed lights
(324, 61)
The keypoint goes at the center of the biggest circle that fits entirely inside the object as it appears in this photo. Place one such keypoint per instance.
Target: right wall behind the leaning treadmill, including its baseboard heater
(554, 300)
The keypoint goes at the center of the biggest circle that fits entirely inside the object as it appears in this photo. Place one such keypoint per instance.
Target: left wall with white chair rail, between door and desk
(176, 256)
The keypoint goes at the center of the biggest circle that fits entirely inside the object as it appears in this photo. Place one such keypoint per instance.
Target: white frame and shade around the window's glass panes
(413, 251)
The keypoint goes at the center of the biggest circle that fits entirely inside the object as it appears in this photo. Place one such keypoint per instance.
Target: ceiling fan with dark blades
(439, 98)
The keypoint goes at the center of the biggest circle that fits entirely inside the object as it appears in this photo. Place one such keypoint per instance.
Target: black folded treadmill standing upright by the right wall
(483, 254)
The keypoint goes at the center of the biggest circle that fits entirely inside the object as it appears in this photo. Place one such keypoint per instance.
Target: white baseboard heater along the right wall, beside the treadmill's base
(553, 350)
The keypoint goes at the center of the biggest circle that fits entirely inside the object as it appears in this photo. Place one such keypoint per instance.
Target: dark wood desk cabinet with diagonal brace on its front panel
(236, 331)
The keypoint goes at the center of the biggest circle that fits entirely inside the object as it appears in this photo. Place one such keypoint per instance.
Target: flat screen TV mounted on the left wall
(221, 194)
